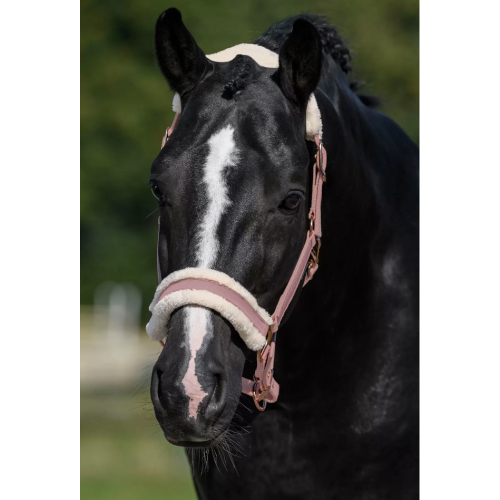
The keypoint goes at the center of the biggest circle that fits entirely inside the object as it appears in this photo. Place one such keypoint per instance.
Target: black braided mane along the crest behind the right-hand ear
(333, 44)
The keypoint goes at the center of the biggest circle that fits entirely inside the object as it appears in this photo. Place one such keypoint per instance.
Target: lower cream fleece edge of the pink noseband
(157, 326)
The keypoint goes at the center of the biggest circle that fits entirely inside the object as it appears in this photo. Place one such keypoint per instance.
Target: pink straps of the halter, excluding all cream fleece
(264, 388)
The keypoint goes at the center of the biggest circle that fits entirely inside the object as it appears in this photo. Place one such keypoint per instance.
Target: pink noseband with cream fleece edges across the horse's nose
(214, 290)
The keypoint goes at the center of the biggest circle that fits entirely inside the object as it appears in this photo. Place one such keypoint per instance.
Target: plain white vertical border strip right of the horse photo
(460, 251)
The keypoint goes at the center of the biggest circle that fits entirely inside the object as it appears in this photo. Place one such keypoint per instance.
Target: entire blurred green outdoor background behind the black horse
(125, 108)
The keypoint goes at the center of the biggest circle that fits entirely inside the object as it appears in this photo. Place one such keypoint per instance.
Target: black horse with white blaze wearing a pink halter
(233, 184)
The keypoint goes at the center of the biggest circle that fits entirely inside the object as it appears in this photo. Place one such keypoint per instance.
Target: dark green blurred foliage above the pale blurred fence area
(126, 106)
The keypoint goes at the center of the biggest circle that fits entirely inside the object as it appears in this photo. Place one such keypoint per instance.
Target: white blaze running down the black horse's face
(222, 154)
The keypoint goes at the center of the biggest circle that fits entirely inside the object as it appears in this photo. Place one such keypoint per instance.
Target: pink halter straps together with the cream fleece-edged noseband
(218, 291)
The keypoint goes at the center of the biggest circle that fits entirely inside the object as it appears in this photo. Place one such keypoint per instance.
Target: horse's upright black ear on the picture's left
(181, 61)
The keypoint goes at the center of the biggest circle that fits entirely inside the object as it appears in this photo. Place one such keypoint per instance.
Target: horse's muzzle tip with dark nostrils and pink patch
(187, 409)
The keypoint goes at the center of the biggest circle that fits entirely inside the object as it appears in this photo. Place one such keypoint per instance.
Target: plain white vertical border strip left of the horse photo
(39, 265)
